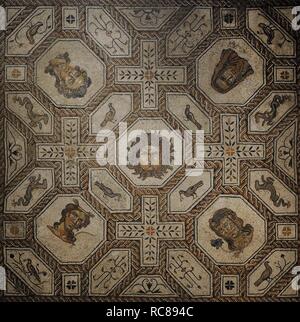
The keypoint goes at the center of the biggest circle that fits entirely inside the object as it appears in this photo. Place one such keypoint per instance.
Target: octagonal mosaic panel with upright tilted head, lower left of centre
(70, 229)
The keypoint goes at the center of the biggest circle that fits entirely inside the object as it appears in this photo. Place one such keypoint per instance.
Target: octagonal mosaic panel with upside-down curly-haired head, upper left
(69, 73)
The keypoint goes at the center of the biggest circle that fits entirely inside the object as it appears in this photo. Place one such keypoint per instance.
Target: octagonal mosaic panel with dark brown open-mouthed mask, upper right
(230, 71)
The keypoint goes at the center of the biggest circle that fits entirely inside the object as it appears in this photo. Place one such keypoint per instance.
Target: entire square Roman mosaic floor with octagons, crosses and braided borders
(74, 230)
